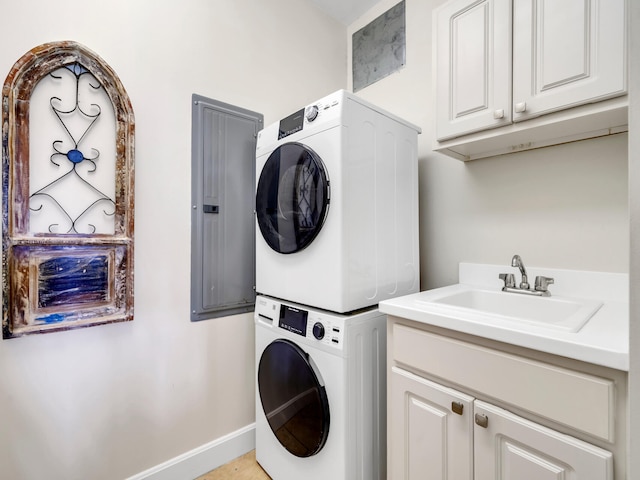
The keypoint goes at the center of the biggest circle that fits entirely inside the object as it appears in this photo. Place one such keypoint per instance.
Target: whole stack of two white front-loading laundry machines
(337, 211)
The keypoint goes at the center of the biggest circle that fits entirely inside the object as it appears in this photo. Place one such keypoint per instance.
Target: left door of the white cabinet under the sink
(430, 430)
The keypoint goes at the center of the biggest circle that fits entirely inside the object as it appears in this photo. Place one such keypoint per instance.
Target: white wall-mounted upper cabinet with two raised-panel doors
(501, 63)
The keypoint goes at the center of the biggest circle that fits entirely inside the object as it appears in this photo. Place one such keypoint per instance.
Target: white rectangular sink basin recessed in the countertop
(567, 314)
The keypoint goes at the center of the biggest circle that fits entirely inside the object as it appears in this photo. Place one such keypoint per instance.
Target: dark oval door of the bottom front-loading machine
(293, 399)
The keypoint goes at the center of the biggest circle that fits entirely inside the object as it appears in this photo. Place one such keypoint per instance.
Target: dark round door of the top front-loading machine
(292, 198)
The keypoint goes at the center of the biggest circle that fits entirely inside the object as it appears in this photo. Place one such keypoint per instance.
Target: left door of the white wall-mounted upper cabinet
(472, 41)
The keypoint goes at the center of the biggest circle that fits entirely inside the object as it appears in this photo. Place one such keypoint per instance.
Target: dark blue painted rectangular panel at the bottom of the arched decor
(73, 281)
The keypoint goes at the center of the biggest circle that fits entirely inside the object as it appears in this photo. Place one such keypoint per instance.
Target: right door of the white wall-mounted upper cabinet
(566, 53)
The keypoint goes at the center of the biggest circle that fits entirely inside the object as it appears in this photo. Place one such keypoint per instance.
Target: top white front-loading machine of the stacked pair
(337, 206)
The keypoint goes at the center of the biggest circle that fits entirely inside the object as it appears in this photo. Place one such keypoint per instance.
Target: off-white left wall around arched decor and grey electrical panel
(108, 402)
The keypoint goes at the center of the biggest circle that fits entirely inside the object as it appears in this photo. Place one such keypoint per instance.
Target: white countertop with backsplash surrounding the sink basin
(603, 340)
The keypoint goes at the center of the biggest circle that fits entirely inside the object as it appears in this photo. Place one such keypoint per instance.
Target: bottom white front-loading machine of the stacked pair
(320, 392)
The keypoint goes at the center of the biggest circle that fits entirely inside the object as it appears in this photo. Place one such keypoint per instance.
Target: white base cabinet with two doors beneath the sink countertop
(461, 410)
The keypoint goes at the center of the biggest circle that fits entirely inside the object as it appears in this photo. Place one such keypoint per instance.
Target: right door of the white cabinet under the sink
(512, 448)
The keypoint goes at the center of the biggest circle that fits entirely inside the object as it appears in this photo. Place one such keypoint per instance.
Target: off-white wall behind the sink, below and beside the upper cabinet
(560, 207)
